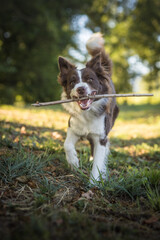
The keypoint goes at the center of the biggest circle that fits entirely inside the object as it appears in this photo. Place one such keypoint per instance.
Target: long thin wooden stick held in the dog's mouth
(38, 104)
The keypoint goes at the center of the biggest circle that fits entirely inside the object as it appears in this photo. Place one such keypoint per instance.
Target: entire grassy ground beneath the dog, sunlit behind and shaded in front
(41, 198)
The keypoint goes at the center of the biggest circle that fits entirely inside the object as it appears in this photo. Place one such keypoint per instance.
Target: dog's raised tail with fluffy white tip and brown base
(95, 45)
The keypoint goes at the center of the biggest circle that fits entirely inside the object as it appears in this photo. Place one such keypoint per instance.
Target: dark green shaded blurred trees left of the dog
(32, 35)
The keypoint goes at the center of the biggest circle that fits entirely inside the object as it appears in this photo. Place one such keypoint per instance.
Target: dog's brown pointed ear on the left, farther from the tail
(64, 66)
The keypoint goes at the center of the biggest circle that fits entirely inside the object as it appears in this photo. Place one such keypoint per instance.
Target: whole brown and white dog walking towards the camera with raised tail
(92, 119)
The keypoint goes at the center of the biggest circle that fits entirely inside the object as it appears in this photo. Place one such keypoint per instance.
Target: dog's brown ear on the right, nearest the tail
(95, 63)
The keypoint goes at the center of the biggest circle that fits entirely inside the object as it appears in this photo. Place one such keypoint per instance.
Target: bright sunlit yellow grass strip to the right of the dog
(138, 122)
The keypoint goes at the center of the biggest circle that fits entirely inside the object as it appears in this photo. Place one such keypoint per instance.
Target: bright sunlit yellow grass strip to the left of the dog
(44, 117)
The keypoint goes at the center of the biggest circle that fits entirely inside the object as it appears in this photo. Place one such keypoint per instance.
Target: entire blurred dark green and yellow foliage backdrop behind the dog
(34, 33)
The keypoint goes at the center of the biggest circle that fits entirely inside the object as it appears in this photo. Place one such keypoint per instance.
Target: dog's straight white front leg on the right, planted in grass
(99, 160)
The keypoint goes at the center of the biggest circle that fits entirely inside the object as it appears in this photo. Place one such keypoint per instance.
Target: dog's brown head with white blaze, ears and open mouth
(90, 80)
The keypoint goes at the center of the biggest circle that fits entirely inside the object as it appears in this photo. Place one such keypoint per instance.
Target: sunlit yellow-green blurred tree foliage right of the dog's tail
(131, 27)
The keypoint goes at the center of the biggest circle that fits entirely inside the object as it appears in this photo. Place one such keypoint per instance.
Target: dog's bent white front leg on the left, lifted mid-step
(69, 146)
